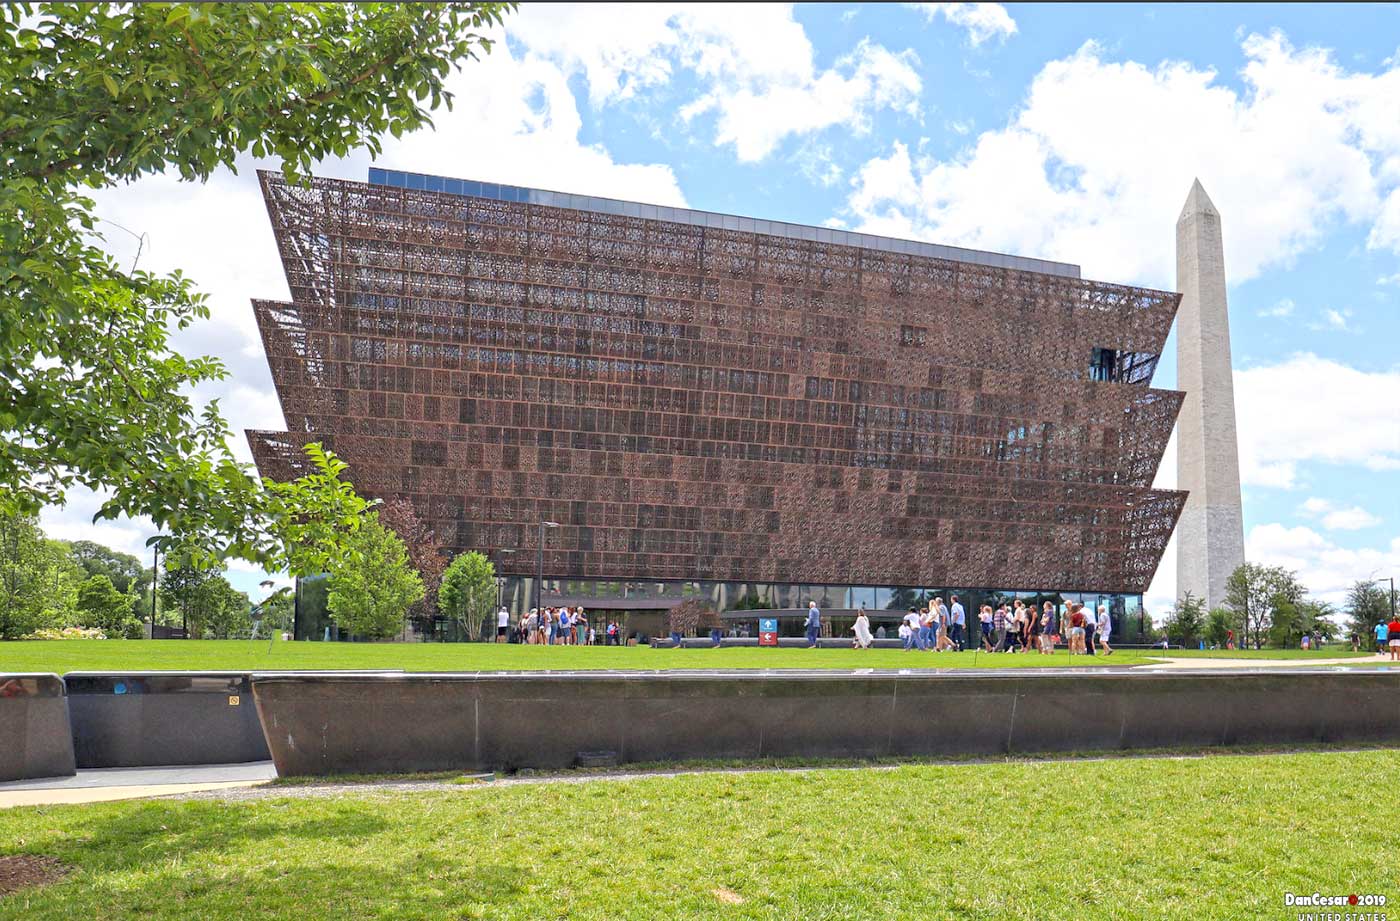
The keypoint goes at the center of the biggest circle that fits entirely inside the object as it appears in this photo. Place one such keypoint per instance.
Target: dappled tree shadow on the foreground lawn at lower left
(213, 862)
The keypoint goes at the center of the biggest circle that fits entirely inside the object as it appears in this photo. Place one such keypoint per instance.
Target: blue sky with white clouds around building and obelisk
(1062, 132)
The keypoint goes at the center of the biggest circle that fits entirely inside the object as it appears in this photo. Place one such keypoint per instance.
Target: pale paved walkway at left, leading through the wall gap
(132, 783)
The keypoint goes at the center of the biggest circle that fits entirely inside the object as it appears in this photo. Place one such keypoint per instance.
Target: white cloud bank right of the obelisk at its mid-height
(1310, 409)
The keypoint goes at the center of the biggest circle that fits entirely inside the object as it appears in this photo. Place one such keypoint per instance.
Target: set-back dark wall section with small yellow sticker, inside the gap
(153, 719)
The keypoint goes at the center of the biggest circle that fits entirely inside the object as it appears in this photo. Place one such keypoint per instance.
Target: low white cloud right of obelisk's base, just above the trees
(1326, 569)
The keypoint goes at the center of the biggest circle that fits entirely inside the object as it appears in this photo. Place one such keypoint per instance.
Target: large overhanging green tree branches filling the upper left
(92, 390)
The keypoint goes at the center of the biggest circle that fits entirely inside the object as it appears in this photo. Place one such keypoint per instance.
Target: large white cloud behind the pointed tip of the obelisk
(1097, 163)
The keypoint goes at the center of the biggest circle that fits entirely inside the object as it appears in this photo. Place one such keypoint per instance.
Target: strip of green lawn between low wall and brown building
(76, 656)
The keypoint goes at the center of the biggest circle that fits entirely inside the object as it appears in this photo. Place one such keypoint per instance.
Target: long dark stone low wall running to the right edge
(324, 724)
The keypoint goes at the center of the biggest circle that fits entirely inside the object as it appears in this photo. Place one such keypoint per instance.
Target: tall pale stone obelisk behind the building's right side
(1210, 538)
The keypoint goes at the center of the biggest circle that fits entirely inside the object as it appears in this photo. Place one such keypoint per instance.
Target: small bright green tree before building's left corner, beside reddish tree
(373, 589)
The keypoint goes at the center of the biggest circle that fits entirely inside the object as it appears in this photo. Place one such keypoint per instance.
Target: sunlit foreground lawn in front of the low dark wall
(1220, 838)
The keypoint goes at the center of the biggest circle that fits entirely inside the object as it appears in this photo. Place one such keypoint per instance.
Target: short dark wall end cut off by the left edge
(34, 729)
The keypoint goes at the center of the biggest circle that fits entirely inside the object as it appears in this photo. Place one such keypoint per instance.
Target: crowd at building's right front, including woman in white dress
(1017, 629)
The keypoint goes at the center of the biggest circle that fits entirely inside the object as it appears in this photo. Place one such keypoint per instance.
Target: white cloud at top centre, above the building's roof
(757, 72)
